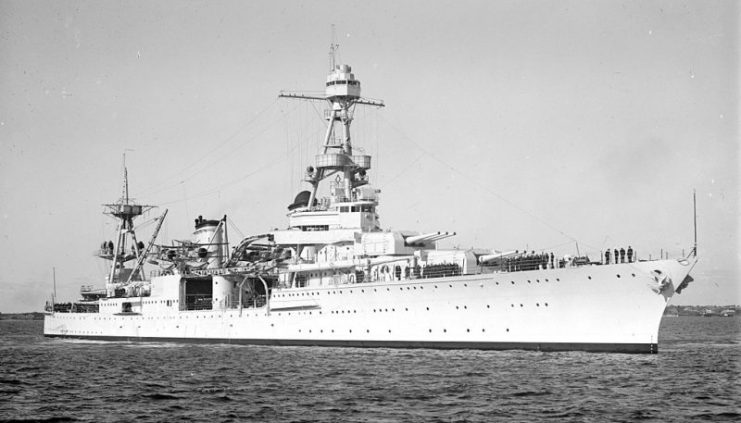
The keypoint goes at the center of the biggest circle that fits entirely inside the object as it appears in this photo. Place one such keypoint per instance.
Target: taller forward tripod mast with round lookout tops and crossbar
(342, 92)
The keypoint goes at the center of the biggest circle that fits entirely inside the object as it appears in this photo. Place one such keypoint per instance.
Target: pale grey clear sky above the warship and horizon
(563, 126)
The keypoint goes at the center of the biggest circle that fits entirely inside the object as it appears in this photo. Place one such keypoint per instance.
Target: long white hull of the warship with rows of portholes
(577, 308)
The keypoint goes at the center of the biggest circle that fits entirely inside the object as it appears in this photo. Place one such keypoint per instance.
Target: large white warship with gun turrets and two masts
(335, 277)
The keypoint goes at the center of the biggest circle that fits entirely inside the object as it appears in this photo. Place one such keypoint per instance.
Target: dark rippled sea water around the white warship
(695, 377)
